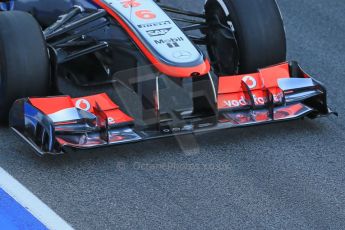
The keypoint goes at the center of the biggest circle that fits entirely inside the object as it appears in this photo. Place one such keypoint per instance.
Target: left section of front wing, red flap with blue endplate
(52, 124)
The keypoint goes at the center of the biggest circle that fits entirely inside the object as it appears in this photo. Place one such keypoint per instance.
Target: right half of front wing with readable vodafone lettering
(275, 93)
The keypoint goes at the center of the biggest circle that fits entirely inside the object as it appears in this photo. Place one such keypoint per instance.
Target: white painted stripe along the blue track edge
(29, 201)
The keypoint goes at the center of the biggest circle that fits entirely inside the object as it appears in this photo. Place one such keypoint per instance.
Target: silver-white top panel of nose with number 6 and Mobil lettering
(157, 31)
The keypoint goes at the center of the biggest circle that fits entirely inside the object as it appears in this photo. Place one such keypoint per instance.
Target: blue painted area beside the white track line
(13, 216)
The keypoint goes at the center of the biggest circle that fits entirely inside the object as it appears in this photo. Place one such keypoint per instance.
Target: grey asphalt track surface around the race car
(285, 176)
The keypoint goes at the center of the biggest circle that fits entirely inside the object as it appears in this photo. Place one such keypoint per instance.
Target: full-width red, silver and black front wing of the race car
(54, 125)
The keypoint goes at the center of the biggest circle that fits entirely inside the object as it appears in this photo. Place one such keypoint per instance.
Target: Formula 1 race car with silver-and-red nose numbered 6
(121, 71)
